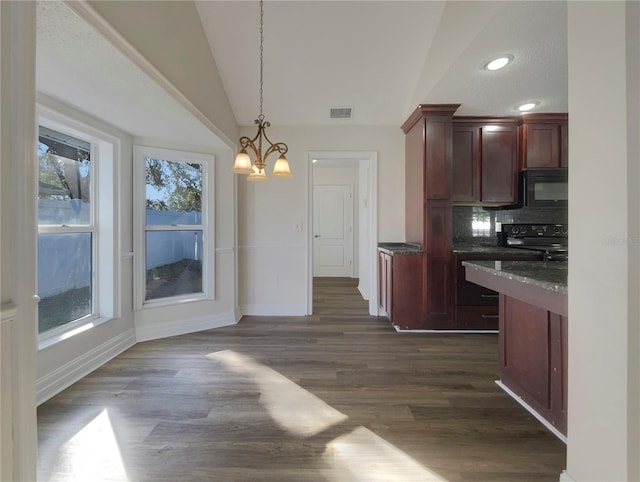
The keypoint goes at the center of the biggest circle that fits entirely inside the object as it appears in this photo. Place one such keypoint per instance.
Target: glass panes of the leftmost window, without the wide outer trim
(66, 229)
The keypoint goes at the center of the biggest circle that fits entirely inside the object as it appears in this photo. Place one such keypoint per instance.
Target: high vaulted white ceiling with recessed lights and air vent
(382, 58)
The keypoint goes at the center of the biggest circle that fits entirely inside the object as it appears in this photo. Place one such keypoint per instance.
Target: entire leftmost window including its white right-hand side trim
(76, 230)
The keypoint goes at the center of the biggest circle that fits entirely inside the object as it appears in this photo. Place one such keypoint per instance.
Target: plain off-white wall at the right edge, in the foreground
(603, 428)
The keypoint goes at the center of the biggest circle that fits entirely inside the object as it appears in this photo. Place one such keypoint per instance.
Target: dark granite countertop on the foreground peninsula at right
(549, 275)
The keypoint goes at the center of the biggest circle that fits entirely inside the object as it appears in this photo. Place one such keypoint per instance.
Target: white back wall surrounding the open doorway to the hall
(273, 269)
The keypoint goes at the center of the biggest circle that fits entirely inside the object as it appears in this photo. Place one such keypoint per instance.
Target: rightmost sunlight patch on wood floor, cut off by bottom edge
(364, 456)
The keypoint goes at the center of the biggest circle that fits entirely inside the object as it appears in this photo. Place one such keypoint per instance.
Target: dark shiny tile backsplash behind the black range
(477, 226)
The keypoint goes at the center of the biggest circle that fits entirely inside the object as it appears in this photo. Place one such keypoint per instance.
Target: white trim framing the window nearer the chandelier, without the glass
(140, 155)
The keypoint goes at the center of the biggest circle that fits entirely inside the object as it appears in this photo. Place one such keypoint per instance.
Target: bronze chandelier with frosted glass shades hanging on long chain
(242, 164)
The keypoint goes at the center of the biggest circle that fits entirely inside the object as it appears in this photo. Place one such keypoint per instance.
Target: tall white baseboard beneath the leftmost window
(53, 383)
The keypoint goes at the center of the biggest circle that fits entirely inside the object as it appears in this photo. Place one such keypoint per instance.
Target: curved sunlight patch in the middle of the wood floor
(291, 407)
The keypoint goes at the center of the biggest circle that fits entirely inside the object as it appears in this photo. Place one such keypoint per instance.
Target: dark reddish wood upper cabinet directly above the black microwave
(544, 140)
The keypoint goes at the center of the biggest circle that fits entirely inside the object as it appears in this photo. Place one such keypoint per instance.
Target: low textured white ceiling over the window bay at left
(78, 66)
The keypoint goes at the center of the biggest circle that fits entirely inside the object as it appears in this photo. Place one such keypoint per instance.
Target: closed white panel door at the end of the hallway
(333, 231)
